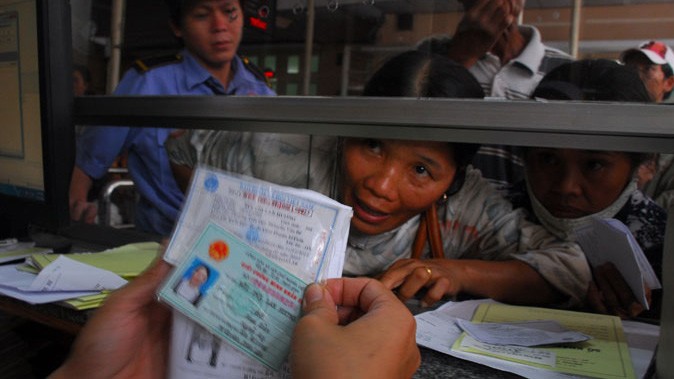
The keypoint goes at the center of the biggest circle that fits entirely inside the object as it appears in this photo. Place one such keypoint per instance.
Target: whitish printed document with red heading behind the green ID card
(302, 230)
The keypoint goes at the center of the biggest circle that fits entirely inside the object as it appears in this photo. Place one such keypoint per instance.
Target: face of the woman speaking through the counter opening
(387, 182)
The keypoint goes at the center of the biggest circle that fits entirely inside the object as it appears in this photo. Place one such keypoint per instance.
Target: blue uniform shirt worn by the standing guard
(148, 164)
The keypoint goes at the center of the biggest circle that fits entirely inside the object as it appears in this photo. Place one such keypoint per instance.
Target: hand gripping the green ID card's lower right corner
(369, 334)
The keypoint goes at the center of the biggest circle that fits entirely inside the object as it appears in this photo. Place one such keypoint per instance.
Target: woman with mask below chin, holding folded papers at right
(567, 187)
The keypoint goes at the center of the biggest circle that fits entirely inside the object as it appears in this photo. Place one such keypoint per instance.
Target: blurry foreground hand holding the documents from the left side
(127, 337)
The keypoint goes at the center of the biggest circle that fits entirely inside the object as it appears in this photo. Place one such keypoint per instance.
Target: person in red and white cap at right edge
(655, 62)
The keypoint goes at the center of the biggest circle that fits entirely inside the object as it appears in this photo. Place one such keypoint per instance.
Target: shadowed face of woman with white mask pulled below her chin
(574, 183)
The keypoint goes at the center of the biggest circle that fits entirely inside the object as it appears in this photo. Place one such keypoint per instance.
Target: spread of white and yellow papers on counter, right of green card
(612, 350)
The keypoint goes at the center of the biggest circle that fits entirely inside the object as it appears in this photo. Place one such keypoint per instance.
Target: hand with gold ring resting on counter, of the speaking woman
(410, 276)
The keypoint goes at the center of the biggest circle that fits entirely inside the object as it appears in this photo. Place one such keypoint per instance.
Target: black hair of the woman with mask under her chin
(596, 80)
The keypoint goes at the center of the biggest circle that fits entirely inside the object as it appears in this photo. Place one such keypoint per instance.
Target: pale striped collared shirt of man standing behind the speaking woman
(517, 79)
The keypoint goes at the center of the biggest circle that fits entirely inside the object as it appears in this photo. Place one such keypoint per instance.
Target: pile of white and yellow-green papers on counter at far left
(79, 281)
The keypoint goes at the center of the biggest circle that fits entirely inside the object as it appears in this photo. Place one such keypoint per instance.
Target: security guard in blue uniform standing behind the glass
(211, 31)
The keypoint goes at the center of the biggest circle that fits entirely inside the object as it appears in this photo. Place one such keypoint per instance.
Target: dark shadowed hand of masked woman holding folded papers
(610, 294)
